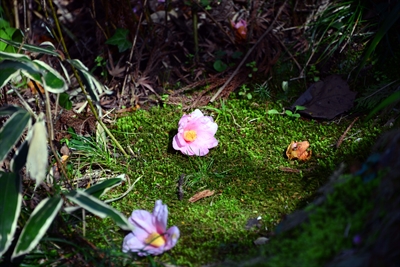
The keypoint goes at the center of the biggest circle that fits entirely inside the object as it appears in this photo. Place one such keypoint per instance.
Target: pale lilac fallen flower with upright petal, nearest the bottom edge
(149, 235)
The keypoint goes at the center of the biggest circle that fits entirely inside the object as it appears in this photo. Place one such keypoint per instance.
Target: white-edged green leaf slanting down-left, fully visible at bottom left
(37, 225)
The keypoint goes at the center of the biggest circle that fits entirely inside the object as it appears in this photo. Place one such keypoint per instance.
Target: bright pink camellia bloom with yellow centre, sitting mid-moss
(195, 134)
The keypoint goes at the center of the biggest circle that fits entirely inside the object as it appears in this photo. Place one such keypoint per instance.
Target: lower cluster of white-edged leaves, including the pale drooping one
(11, 189)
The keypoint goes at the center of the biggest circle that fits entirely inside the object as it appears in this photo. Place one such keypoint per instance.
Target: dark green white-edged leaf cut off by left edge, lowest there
(10, 207)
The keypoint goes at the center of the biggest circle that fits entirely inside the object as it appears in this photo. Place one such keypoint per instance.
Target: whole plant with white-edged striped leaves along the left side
(12, 68)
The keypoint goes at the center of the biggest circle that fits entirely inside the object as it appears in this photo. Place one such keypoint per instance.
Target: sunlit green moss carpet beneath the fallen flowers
(244, 170)
